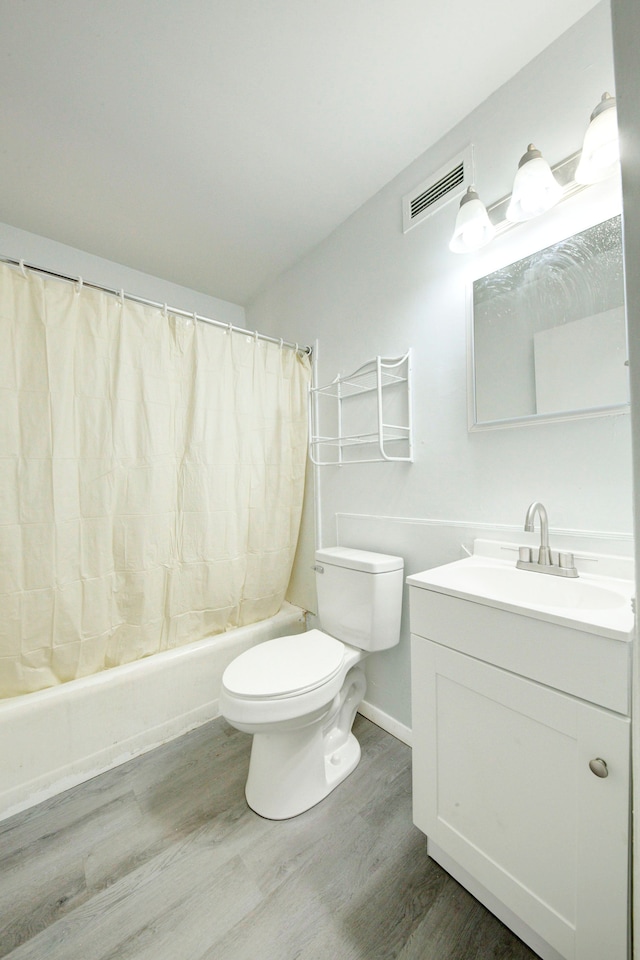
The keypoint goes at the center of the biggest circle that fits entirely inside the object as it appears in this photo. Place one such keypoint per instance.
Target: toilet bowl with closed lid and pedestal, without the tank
(300, 711)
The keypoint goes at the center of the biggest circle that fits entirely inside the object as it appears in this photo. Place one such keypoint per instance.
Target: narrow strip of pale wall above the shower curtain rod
(67, 261)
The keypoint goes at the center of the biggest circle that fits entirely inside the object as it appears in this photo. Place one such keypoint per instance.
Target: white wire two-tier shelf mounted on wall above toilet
(364, 417)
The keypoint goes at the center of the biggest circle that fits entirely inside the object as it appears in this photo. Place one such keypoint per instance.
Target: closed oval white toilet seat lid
(285, 666)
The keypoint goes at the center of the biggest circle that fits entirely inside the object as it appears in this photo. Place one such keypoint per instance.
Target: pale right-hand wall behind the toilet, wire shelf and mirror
(369, 289)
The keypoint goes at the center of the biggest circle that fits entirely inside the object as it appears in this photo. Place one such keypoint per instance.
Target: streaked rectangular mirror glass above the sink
(548, 332)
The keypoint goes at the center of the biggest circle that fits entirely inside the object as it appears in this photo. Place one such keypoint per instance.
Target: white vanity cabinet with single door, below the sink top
(508, 713)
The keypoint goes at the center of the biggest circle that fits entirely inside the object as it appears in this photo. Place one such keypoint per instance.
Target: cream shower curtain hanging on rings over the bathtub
(151, 479)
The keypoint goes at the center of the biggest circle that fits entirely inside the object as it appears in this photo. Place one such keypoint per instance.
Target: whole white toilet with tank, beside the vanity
(298, 695)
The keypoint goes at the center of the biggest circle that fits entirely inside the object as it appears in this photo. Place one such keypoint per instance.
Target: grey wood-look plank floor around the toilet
(161, 859)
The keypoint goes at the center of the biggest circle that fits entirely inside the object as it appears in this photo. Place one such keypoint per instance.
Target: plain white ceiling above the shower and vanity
(214, 142)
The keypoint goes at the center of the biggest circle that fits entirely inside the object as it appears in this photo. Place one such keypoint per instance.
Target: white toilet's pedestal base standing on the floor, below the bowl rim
(291, 770)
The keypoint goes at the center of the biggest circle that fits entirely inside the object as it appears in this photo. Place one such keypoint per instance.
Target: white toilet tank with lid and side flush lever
(360, 596)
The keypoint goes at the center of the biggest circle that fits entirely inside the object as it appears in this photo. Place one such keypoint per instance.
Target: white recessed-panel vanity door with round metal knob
(502, 784)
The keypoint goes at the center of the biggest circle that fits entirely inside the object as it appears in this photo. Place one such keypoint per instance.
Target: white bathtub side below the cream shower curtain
(56, 738)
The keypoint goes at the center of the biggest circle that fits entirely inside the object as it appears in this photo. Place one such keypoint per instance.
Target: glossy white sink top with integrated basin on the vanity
(600, 604)
